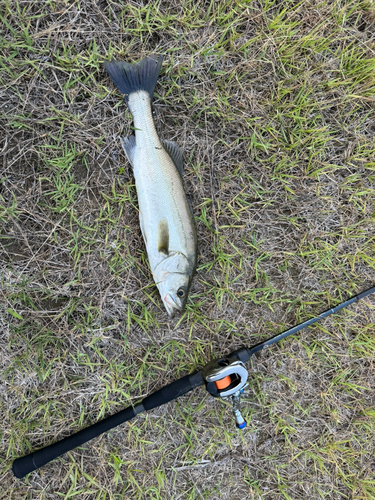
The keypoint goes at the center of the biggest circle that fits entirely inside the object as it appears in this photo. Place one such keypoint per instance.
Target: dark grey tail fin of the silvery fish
(130, 78)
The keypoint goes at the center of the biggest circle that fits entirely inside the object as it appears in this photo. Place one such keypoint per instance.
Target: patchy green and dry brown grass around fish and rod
(273, 104)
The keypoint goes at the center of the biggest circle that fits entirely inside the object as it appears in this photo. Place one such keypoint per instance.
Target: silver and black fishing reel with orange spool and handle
(226, 378)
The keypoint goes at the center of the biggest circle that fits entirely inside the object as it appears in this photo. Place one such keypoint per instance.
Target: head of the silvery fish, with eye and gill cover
(174, 281)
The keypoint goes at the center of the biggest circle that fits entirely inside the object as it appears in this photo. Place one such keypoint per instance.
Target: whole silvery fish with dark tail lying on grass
(165, 214)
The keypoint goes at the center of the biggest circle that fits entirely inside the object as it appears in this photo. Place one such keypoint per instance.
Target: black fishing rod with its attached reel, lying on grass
(224, 378)
